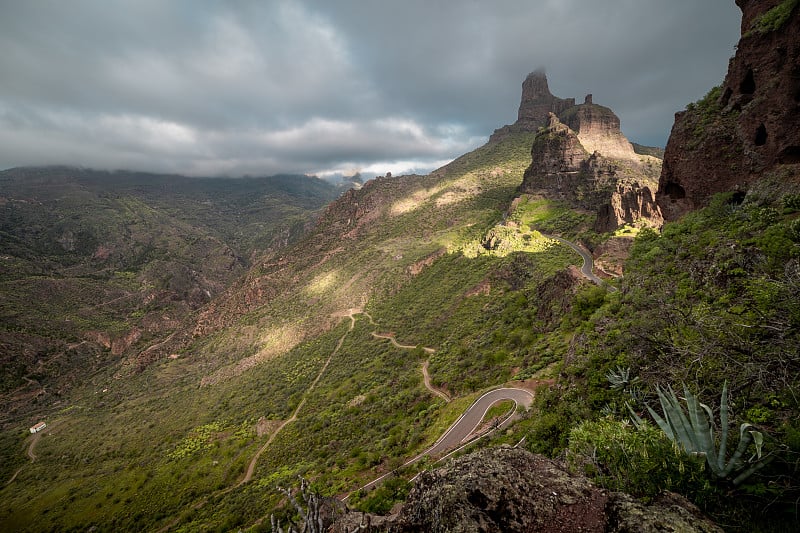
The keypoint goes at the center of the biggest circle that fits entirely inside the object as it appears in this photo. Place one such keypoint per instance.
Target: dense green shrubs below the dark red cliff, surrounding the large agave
(713, 298)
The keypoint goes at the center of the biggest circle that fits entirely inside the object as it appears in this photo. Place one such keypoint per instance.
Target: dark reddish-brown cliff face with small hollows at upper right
(747, 128)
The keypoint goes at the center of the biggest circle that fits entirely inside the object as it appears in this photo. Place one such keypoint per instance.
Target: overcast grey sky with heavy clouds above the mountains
(322, 86)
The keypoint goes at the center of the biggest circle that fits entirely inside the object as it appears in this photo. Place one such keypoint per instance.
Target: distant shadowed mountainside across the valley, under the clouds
(97, 264)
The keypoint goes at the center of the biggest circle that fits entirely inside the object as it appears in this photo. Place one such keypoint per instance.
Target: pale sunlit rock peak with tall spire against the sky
(581, 156)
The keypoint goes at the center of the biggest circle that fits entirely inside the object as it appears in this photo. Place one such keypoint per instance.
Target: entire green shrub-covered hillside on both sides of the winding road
(284, 367)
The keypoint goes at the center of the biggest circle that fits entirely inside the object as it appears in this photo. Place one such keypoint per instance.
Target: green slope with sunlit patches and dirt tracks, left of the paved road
(289, 345)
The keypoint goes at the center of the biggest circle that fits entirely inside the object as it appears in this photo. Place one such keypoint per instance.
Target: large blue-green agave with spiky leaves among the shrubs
(693, 431)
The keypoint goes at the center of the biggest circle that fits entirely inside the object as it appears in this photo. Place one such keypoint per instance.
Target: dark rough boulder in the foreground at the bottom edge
(509, 489)
